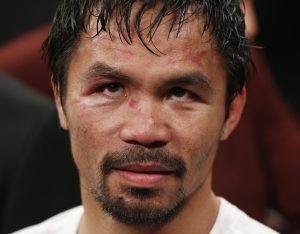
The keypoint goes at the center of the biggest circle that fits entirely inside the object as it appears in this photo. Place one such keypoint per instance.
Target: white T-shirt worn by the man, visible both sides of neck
(230, 220)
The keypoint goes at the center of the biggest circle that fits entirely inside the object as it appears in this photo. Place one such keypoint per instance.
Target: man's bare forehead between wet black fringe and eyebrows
(188, 45)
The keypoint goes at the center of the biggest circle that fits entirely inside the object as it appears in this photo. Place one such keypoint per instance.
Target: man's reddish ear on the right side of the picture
(235, 112)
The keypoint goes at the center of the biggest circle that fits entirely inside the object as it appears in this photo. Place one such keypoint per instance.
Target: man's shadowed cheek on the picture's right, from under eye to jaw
(199, 141)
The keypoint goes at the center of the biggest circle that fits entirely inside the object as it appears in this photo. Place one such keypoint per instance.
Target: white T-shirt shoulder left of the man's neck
(62, 223)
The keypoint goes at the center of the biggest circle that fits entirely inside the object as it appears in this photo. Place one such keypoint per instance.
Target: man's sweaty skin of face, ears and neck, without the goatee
(121, 96)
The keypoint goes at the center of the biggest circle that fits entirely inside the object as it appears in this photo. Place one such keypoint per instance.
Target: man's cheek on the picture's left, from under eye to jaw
(89, 134)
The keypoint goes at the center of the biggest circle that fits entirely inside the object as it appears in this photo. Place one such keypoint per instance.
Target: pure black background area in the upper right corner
(280, 37)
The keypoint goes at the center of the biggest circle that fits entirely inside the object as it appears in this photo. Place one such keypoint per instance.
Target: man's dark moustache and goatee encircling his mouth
(137, 206)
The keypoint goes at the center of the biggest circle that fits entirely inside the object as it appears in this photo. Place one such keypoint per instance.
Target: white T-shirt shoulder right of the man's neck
(232, 220)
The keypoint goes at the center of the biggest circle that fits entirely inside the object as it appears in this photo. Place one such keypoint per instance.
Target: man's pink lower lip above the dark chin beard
(141, 179)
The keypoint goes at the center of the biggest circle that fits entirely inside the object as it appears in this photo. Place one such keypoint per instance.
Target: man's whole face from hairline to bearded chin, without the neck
(145, 128)
